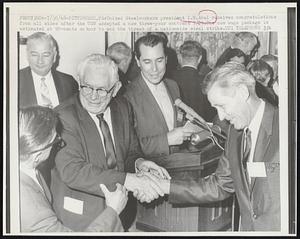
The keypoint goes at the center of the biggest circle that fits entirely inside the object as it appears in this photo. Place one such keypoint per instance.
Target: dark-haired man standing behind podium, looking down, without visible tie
(152, 97)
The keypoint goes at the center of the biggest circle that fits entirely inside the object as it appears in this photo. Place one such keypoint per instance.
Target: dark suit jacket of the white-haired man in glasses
(81, 164)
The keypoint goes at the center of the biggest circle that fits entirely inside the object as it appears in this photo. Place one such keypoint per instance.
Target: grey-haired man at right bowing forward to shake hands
(250, 165)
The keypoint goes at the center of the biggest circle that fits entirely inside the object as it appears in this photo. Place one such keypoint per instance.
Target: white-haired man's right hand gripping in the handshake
(143, 184)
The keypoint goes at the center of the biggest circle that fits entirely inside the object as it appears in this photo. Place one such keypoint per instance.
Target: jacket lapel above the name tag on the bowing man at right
(263, 138)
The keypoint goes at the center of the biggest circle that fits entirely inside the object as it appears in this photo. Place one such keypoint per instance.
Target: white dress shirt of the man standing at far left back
(50, 85)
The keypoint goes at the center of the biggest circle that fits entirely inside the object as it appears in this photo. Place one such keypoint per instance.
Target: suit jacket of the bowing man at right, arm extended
(259, 202)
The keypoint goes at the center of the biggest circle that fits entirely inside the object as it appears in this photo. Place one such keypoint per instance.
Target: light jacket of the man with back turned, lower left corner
(37, 214)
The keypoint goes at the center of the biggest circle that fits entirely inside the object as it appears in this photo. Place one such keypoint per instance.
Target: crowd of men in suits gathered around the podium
(84, 143)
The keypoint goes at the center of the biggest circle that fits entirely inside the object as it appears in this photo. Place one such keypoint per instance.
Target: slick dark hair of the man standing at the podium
(151, 40)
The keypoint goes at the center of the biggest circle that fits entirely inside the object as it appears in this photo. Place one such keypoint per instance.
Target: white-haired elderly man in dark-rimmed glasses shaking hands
(100, 144)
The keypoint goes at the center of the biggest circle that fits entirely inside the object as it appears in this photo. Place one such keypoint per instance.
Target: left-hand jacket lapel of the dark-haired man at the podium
(149, 99)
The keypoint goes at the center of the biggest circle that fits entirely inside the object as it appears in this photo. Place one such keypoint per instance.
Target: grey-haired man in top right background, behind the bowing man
(245, 41)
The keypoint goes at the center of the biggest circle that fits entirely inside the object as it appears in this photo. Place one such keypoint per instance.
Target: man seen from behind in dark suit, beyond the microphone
(189, 81)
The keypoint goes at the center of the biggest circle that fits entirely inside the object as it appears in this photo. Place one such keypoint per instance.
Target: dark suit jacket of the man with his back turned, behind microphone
(189, 82)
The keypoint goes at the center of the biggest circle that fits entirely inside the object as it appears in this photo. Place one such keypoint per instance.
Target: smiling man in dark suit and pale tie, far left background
(40, 83)
